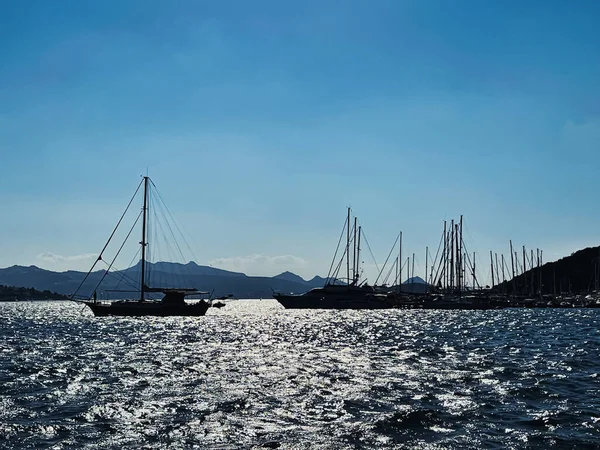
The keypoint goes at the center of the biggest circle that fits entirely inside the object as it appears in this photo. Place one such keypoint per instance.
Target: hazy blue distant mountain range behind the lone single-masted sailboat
(162, 274)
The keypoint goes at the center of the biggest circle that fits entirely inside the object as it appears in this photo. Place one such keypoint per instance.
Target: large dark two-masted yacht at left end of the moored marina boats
(339, 295)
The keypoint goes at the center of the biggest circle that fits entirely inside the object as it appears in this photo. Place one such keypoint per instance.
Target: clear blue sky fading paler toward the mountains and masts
(261, 122)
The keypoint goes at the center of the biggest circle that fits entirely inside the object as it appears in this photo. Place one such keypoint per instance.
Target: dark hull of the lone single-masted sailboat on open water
(156, 309)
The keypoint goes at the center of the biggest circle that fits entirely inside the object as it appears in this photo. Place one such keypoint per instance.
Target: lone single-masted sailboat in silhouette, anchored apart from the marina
(173, 301)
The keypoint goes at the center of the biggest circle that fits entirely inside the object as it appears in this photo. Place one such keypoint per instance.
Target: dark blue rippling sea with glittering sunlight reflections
(253, 375)
